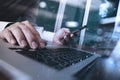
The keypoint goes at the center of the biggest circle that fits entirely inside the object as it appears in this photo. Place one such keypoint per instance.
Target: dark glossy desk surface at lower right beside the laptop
(104, 68)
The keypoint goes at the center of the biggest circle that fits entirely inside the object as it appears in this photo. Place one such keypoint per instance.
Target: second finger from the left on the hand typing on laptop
(18, 34)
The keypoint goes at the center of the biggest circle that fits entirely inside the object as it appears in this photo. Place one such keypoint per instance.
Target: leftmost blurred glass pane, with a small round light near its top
(47, 14)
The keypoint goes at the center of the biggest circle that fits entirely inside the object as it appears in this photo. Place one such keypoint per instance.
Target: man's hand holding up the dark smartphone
(62, 35)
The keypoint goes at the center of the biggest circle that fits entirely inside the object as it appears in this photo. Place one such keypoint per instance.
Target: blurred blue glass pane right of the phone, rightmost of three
(100, 26)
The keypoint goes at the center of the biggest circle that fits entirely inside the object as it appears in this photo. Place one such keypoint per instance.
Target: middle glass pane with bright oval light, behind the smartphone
(73, 17)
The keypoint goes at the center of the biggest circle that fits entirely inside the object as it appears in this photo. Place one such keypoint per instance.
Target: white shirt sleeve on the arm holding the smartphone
(45, 35)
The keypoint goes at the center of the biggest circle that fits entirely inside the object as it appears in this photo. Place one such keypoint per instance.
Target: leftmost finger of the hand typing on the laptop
(7, 35)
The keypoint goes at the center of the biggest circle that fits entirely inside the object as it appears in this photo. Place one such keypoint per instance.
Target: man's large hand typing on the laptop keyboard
(24, 34)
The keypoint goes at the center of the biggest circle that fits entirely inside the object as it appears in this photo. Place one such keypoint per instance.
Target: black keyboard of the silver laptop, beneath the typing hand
(57, 58)
